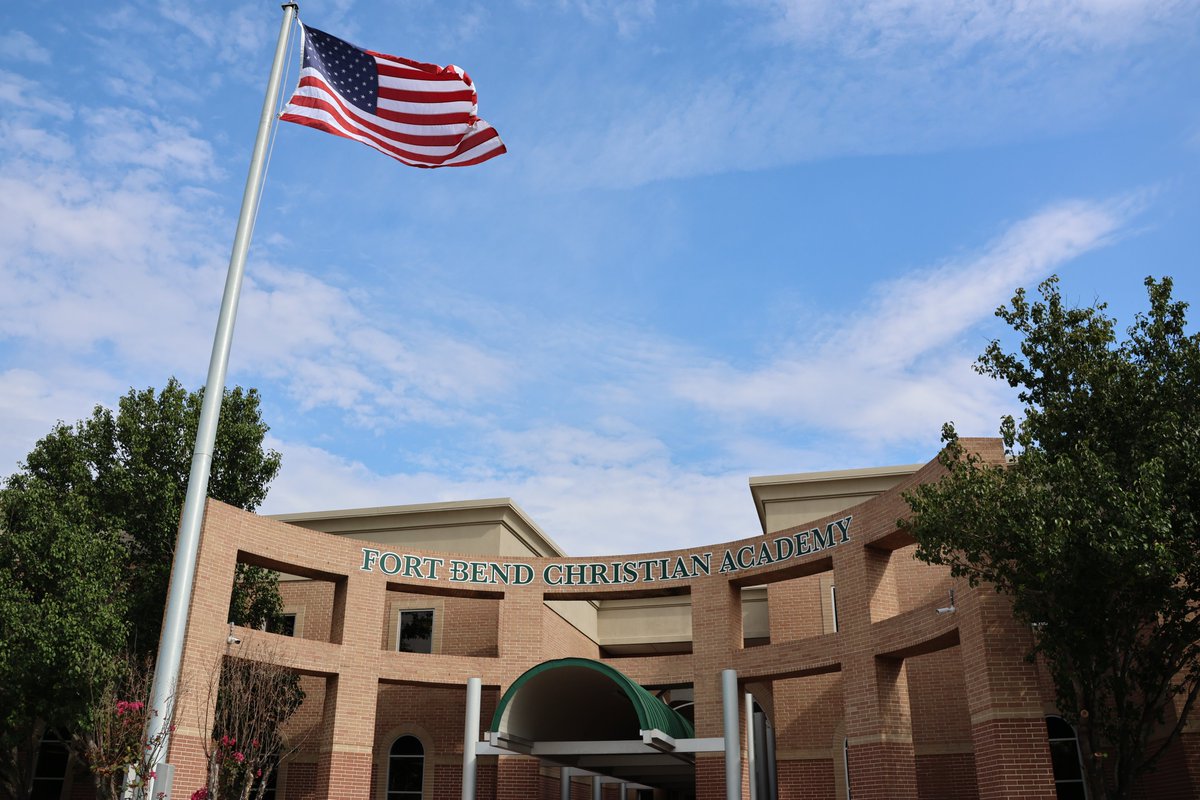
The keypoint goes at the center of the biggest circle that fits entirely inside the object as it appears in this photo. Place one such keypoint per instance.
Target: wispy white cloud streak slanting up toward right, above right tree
(898, 369)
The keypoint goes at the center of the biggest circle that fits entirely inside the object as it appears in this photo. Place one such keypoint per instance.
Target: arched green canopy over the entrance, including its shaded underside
(578, 700)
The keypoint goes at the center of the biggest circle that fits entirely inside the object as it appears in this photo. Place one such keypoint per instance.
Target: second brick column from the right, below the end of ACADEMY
(879, 724)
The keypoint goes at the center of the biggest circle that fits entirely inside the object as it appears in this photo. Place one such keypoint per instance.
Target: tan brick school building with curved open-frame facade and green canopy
(817, 660)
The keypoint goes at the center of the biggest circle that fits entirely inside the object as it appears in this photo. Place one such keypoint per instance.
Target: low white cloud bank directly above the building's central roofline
(593, 494)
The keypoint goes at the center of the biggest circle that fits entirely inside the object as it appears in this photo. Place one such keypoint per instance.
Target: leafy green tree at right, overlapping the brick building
(1093, 526)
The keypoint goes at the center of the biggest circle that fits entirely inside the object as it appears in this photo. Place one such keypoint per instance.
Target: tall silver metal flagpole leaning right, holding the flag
(171, 643)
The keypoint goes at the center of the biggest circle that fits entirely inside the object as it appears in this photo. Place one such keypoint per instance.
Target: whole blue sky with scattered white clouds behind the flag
(730, 238)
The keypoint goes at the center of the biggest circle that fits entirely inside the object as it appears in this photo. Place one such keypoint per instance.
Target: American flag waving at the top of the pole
(421, 115)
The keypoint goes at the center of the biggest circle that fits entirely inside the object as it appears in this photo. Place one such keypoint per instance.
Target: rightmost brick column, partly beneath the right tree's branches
(1009, 729)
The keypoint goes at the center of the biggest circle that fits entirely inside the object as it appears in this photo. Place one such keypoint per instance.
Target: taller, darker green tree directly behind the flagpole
(130, 470)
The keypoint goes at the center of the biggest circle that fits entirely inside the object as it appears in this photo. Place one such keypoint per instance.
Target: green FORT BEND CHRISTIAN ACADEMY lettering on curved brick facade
(593, 574)
